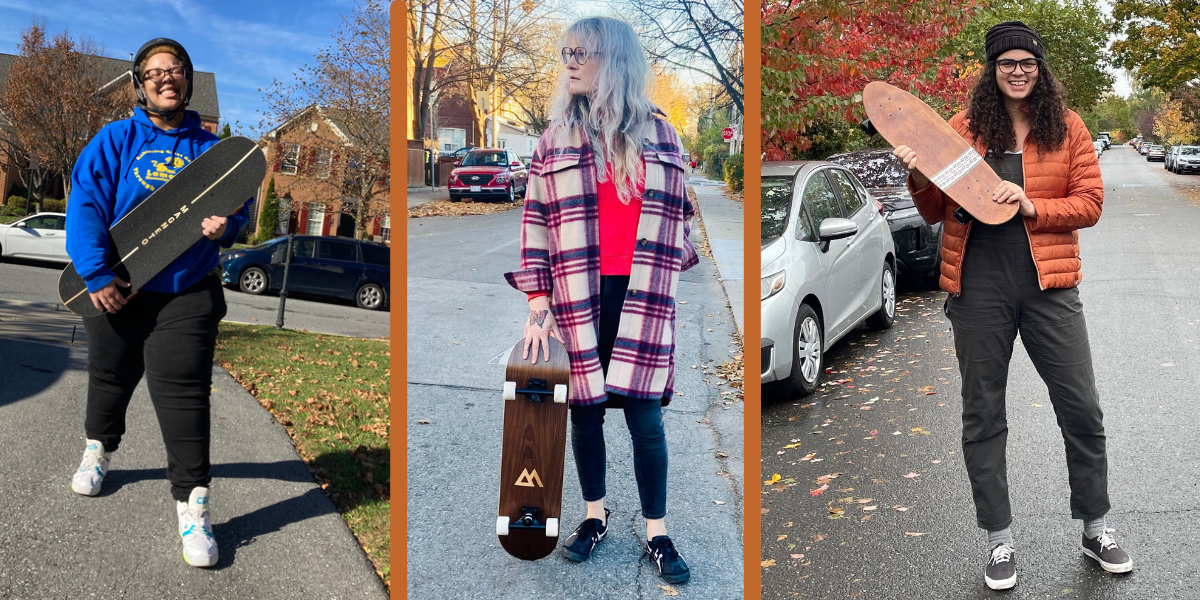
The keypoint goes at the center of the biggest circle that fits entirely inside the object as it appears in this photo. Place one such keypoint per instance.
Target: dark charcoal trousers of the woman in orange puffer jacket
(1000, 298)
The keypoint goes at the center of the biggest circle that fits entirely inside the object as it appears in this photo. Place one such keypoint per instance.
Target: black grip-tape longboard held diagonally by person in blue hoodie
(169, 223)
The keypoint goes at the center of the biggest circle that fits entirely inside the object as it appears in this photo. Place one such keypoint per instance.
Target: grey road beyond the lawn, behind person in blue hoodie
(38, 283)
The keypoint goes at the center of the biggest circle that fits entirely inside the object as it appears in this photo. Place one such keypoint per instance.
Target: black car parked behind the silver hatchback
(919, 244)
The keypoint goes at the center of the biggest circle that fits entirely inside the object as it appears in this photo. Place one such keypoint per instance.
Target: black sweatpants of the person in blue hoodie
(171, 339)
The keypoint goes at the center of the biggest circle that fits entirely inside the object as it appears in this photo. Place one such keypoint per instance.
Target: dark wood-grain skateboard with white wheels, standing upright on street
(533, 454)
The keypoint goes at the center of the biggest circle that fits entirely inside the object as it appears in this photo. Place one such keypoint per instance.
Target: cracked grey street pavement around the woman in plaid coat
(463, 319)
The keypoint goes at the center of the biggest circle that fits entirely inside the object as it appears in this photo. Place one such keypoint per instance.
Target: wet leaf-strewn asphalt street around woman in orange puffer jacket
(874, 500)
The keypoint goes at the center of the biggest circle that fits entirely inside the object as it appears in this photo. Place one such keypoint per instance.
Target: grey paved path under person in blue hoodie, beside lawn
(279, 536)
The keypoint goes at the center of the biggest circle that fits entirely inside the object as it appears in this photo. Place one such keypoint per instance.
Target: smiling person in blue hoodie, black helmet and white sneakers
(167, 332)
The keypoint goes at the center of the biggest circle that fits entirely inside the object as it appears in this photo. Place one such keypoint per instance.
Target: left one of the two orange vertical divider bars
(399, 152)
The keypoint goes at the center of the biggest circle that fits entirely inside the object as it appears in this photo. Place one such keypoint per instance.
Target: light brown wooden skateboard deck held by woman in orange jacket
(943, 155)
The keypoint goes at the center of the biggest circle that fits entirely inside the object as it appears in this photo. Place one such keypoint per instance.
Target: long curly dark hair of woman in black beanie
(992, 123)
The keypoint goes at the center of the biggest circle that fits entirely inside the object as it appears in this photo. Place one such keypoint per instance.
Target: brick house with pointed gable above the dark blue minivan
(304, 157)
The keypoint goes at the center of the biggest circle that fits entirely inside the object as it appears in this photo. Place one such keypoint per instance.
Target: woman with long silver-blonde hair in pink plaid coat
(603, 242)
